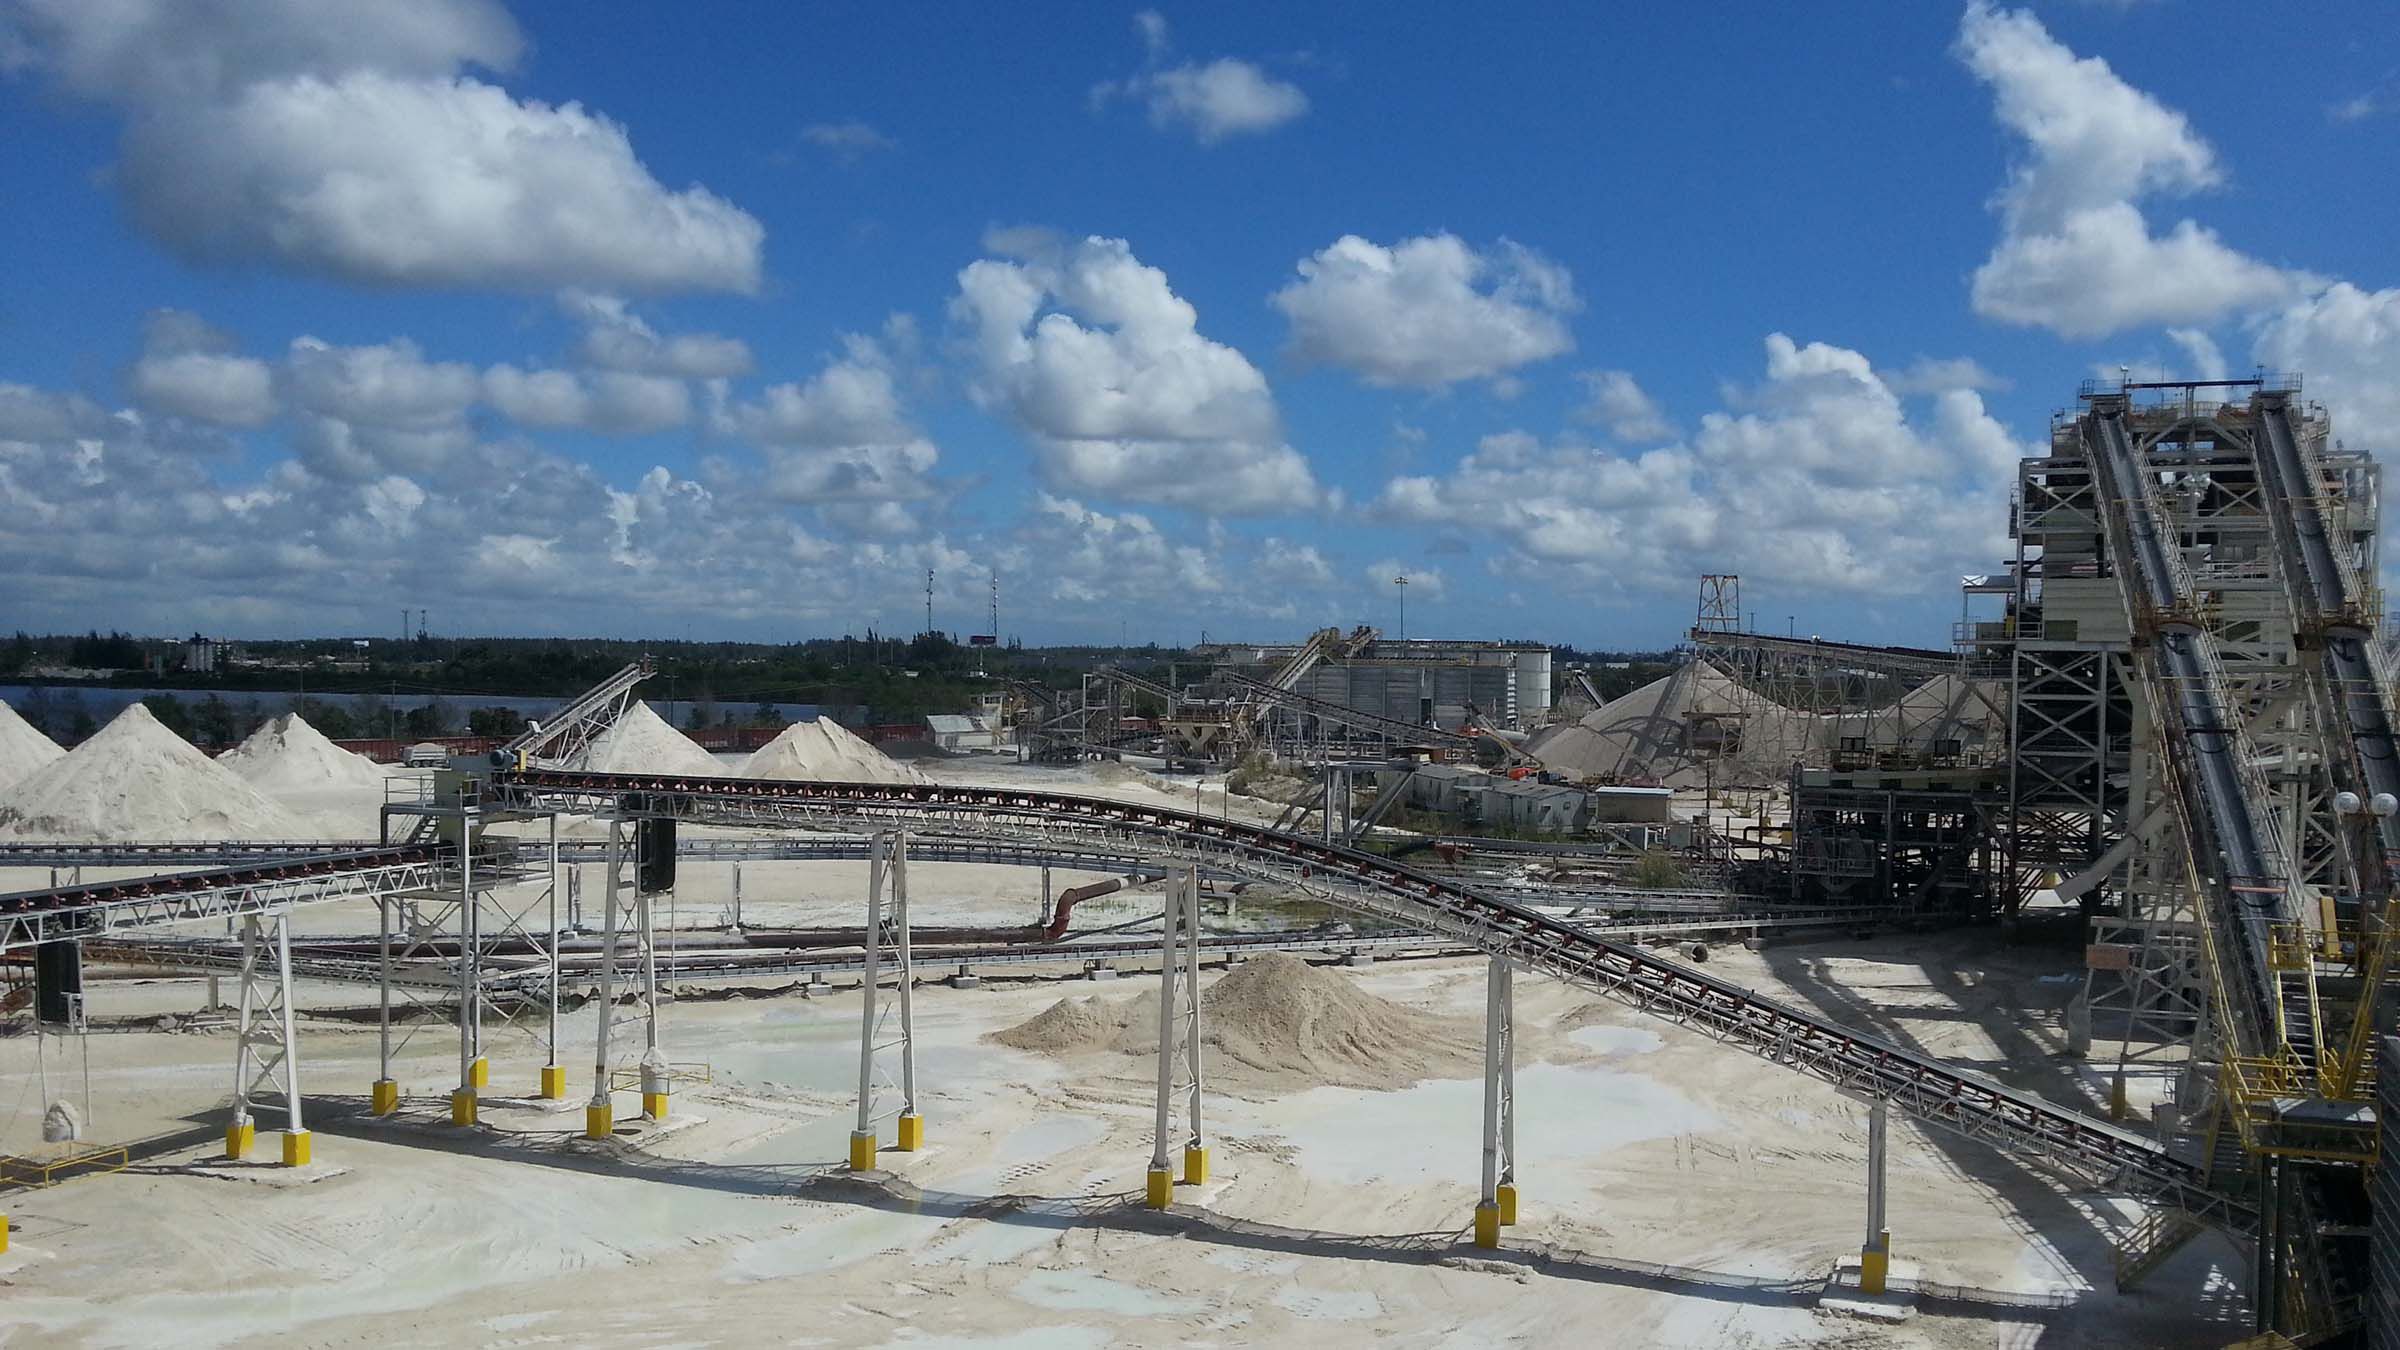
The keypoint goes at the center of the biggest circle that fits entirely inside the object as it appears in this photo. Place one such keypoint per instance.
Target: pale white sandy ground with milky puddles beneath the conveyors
(1676, 1193)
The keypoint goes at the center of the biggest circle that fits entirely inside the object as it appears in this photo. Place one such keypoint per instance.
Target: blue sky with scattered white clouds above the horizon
(1182, 321)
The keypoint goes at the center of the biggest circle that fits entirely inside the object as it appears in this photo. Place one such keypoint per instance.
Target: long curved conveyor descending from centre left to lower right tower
(1916, 1085)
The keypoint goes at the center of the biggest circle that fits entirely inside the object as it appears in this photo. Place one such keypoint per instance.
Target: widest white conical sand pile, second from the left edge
(140, 782)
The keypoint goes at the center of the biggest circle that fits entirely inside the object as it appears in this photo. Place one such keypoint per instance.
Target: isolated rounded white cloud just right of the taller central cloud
(1427, 311)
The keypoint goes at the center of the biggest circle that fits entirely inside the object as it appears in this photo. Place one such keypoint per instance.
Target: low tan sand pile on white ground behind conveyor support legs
(1273, 1025)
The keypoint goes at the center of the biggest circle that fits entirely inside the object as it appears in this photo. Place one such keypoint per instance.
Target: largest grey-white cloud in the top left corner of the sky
(361, 150)
